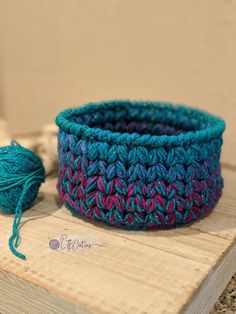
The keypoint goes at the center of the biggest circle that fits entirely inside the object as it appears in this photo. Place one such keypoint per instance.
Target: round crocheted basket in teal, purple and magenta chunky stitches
(139, 164)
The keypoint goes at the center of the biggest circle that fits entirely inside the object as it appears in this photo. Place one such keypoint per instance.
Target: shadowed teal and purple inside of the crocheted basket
(163, 120)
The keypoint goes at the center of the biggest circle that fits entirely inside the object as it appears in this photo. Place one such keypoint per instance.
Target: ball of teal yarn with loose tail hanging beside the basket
(21, 174)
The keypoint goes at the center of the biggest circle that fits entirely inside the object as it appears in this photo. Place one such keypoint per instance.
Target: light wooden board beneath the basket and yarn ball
(181, 270)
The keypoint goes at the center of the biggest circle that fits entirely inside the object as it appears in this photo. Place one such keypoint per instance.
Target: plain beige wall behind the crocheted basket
(60, 53)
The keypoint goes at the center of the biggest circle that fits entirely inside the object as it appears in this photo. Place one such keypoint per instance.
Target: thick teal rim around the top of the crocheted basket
(214, 128)
